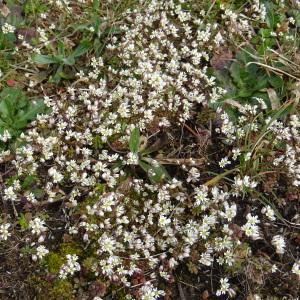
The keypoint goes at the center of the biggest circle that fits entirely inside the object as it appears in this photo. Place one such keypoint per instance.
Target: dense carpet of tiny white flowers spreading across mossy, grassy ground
(135, 231)
